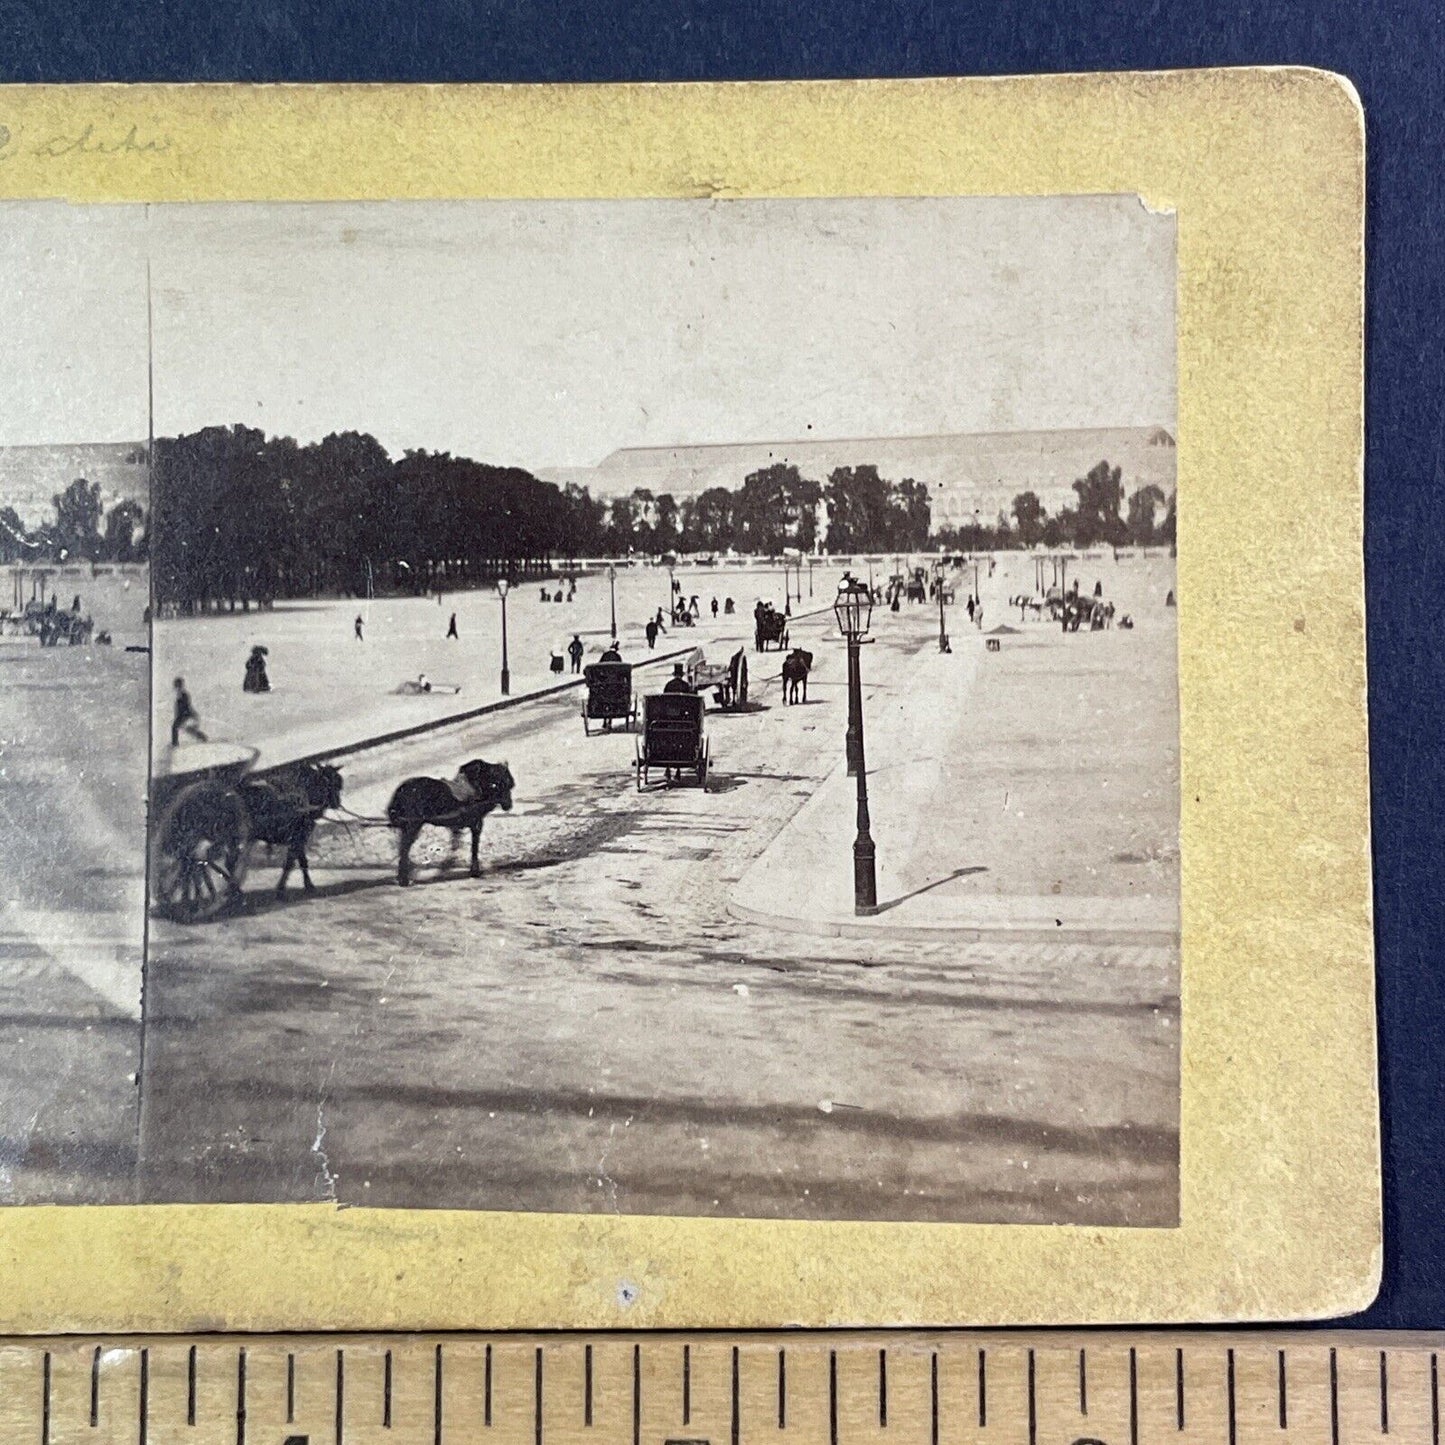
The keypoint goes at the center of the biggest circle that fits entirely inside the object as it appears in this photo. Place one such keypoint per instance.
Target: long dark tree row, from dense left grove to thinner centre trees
(243, 518)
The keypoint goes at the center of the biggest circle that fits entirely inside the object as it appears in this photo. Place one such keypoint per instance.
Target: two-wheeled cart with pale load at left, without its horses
(200, 832)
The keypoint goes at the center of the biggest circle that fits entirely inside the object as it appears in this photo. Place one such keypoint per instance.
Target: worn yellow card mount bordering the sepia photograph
(1281, 1152)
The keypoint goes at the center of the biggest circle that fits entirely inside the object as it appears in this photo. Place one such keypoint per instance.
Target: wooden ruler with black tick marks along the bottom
(782, 1389)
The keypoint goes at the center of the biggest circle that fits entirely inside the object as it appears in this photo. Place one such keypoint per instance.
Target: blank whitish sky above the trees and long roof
(553, 333)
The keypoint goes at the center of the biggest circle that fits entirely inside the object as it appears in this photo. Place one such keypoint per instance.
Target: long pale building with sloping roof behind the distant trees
(973, 475)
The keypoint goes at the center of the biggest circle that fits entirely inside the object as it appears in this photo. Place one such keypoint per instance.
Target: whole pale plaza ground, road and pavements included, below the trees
(663, 1002)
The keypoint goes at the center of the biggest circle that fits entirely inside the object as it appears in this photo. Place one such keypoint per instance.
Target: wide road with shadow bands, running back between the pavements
(587, 1030)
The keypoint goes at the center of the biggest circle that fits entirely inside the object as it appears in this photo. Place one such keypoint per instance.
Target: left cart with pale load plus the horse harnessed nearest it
(207, 811)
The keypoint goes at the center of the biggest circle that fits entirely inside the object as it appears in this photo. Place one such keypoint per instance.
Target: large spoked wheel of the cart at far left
(199, 853)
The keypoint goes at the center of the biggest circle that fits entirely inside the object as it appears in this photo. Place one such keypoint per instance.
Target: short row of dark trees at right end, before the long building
(1102, 518)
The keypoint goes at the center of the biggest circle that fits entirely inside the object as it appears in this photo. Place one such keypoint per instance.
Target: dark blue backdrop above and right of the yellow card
(1395, 56)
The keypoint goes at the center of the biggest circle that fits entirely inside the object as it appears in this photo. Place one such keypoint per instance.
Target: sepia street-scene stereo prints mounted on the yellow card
(596, 707)
